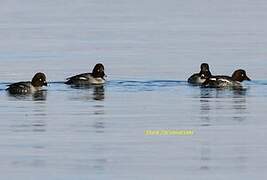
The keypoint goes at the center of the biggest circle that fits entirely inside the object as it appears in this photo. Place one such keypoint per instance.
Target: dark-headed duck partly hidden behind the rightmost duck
(200, 78)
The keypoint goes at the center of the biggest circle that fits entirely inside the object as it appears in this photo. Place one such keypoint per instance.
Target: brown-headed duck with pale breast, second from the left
(96, 77)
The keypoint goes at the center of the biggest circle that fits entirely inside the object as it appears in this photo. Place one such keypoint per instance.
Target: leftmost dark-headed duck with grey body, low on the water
(27, 87)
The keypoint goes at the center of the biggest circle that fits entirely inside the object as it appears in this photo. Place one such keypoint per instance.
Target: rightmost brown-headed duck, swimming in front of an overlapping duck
(226, 81)
